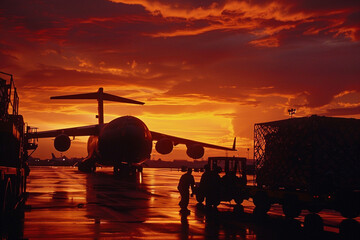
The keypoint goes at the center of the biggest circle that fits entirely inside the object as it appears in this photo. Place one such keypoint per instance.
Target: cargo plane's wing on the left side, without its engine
(76, 131)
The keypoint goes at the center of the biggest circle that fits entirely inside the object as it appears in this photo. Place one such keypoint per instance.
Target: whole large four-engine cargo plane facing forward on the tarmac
(123, 143)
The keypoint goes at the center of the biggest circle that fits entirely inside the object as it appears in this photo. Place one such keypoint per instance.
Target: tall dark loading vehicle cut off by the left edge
(13, 147)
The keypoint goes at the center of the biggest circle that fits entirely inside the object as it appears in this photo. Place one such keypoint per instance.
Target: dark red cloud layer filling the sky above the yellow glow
(224, 49)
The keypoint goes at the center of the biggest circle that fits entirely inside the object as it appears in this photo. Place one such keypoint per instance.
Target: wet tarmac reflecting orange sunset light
(64, 203)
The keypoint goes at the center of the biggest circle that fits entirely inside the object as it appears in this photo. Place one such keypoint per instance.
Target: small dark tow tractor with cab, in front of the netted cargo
(230, 186)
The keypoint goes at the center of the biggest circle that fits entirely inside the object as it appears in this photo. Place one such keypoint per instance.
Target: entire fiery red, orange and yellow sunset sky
(207, 70)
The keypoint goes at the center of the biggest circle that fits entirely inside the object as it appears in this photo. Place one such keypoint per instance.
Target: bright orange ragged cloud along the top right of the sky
(252, 16)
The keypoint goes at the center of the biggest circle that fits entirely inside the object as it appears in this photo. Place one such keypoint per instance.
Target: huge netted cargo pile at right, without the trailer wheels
(318, 154)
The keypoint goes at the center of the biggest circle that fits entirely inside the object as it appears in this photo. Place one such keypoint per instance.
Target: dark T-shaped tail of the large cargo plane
(100, 96)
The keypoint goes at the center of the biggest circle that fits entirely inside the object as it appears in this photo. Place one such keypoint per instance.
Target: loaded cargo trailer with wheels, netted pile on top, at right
(307, 163)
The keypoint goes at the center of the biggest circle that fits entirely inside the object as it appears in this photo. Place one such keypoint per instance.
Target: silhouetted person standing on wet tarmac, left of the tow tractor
(186, 181)
